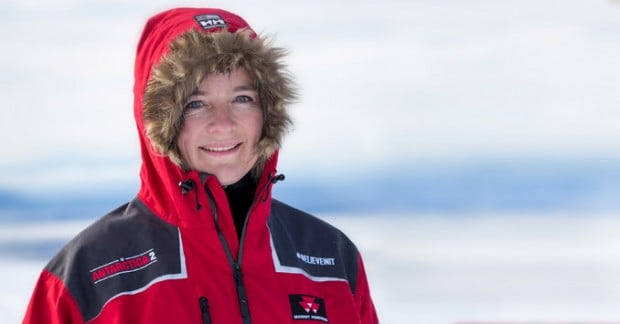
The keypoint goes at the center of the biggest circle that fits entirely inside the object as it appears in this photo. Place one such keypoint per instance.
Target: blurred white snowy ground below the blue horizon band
(433, 269)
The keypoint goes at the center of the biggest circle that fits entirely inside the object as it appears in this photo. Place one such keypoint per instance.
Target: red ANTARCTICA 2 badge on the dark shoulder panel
(123, 265)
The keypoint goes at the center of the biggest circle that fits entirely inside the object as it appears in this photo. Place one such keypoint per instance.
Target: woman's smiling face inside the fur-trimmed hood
(222, 126)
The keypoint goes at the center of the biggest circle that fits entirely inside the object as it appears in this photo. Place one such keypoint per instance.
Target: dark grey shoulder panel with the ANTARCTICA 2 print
(122, 253)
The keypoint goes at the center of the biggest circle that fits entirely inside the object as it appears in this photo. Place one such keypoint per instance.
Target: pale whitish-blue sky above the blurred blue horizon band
(381, 82)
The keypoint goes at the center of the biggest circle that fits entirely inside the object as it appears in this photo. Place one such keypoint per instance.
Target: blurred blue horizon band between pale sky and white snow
(489, 186)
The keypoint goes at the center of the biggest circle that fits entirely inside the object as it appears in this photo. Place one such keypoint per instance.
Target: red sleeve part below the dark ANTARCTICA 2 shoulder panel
(51, 303)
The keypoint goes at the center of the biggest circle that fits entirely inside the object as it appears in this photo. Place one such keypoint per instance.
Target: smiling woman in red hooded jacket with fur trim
(203, 241)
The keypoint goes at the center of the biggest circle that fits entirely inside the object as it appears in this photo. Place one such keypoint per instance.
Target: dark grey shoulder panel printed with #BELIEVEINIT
(306, 245)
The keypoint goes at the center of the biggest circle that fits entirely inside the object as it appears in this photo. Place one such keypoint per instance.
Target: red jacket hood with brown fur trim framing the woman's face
(178, 47)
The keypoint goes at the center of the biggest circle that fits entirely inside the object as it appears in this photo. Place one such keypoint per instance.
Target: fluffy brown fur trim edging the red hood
(192, 56)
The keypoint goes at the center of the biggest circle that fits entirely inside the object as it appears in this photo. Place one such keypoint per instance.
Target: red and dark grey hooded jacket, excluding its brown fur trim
(172, 254)
